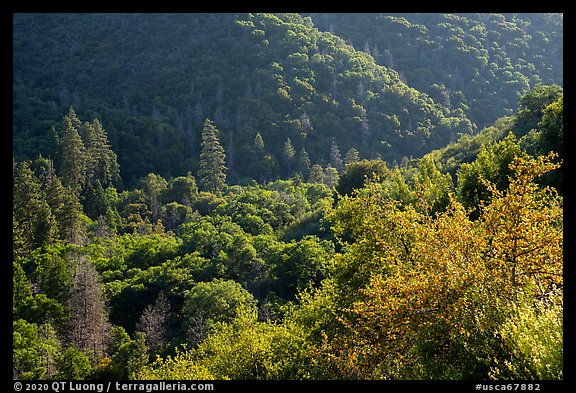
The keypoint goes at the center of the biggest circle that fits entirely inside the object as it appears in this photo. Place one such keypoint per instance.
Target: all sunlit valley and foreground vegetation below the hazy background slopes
(445, 267)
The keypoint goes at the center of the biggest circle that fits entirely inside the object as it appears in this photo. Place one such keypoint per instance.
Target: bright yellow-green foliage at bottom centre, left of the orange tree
(241, 349)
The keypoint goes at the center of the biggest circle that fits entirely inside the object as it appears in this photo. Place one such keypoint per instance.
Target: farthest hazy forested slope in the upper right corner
(480, 63)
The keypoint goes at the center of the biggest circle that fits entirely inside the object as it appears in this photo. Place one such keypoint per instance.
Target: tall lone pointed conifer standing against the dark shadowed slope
(212, 172)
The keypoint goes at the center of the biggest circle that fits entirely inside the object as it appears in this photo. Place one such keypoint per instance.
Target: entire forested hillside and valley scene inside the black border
(287, 197)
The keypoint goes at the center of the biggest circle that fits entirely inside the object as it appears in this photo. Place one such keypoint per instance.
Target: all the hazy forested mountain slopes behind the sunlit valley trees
(414, 83)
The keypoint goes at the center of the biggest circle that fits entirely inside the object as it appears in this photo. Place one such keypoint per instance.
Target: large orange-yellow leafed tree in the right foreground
(435, 295)
